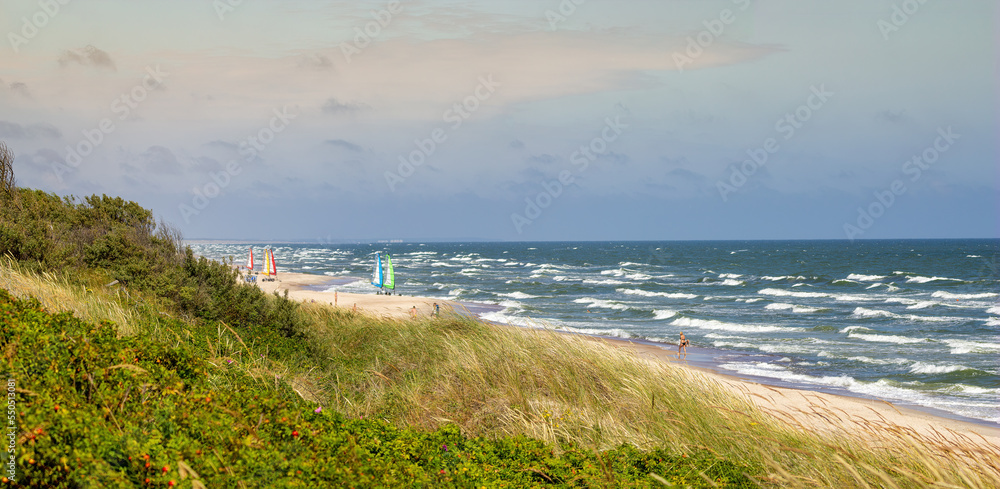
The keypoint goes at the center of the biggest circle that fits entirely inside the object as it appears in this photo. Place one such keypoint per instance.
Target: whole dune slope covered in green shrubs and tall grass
(166, 369)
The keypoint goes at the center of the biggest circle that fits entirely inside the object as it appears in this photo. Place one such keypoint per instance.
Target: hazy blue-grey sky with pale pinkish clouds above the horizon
(514, 120)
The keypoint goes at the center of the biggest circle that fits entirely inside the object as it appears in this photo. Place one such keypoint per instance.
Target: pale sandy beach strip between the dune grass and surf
(815, 407)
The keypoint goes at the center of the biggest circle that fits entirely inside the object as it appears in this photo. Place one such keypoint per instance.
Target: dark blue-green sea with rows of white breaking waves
(912, 322)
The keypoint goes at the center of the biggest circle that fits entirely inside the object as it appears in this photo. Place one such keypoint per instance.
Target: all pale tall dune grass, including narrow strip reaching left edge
(502, 382)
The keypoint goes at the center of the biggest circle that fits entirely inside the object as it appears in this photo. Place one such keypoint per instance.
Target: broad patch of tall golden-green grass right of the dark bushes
(498, 381)
